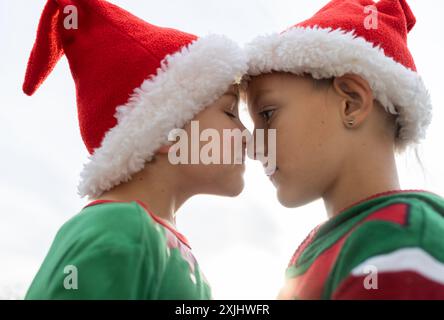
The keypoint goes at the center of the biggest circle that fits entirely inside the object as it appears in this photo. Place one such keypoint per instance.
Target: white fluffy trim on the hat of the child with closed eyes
(187, 82)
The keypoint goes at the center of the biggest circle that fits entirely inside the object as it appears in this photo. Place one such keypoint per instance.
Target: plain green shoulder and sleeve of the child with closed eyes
(114, 250)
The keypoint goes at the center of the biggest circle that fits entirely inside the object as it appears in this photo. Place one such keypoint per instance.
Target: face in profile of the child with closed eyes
(218, 177)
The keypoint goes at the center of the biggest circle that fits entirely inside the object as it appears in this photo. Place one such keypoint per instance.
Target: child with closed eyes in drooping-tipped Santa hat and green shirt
(123, 244)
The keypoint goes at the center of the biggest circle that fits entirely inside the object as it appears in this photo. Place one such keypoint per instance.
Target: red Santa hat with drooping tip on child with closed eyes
(135, 81)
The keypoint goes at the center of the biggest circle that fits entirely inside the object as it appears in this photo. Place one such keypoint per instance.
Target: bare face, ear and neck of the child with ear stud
(318, 154)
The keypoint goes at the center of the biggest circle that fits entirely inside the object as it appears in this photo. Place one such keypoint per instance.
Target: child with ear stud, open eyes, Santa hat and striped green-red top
(343, 94)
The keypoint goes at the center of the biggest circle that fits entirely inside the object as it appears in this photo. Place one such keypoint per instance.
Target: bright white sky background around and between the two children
(242, 244)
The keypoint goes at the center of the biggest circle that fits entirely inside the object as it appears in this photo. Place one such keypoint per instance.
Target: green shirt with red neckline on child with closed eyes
(119, 250)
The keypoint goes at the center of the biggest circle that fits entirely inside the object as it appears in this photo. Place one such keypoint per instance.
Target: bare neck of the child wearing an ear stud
(364, 174)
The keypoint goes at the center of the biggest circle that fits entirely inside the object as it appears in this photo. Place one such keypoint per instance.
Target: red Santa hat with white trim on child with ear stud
(341, 38)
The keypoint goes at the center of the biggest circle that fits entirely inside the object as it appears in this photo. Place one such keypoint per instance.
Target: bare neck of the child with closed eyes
(156, 186)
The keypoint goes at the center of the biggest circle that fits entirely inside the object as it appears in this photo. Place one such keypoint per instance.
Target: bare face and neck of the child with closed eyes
(165, 187)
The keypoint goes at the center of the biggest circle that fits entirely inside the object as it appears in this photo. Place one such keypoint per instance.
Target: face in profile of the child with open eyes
(310, 141)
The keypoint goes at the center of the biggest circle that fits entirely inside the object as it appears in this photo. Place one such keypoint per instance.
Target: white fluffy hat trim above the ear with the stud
(325, 53)
